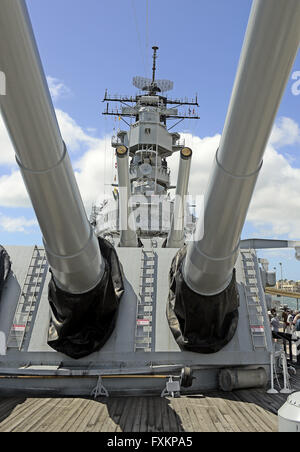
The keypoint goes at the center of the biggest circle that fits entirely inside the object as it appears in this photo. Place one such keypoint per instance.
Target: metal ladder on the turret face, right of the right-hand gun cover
(254, 308)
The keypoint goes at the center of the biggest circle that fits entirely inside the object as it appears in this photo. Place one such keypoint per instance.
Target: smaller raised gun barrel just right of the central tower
(176, 234)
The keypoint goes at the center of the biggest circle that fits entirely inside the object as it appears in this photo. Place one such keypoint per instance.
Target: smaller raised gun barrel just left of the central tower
(128, 237)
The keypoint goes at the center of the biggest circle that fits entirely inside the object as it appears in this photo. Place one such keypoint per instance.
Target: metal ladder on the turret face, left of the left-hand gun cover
(29, 295)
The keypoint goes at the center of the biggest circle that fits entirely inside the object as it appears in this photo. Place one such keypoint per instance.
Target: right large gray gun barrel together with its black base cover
(204, 299)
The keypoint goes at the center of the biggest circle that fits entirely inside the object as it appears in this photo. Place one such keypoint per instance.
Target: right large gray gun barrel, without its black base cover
(268, 54)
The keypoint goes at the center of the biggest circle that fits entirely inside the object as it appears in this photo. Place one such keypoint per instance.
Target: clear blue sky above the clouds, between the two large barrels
(95, 44)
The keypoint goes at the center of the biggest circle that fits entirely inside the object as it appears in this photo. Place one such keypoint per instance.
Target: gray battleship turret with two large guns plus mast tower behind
(143, 298)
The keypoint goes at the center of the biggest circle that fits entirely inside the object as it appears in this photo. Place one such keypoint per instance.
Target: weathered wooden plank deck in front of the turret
(239, 411)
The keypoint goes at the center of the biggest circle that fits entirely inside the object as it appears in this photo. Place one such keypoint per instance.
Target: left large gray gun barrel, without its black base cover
(72, 248)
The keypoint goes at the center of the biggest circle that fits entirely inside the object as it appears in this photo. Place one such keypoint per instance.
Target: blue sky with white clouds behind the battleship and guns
(88, 46)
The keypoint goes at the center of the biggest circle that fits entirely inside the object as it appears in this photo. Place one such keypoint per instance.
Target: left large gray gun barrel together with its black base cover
(82, 295)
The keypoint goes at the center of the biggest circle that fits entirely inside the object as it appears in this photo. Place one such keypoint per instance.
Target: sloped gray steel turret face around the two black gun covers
(141, 344)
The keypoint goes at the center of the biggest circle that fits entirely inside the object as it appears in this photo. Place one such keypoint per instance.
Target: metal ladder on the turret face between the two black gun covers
(146, 302)
